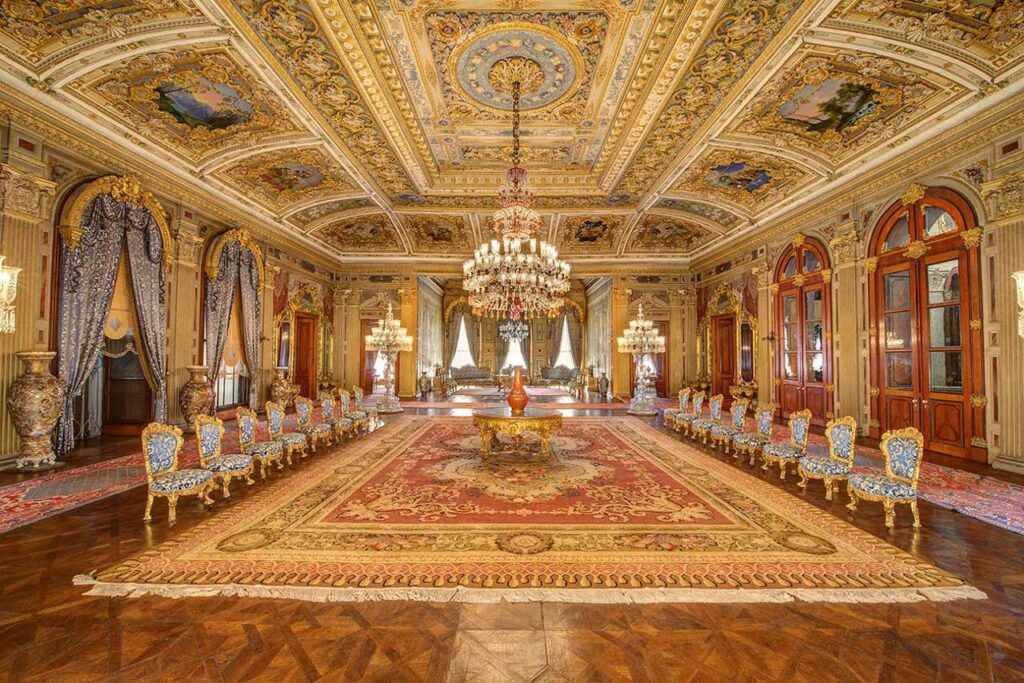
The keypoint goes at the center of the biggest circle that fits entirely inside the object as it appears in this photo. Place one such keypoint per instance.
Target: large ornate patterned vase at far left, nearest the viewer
(35, 401)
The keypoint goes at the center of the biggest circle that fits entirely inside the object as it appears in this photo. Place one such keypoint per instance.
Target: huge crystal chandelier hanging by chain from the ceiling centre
(518, 277)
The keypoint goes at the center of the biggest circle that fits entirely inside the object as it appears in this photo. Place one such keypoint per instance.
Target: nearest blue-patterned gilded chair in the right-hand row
(904, 451)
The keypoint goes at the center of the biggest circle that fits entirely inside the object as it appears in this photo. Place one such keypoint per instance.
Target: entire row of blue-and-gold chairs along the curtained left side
(162, 445)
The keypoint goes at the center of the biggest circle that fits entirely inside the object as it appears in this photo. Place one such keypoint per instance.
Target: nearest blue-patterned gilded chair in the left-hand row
(161, 446)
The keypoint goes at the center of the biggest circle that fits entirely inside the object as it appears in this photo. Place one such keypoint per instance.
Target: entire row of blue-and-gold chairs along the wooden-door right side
(903, 450)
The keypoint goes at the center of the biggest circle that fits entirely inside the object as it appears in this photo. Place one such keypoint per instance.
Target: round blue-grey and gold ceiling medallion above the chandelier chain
(548, 68)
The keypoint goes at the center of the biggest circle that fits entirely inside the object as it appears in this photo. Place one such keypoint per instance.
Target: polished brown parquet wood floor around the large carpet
(51, 632)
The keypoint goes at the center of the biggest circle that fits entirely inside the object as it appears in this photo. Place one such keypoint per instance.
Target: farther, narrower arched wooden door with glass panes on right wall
(803, 366)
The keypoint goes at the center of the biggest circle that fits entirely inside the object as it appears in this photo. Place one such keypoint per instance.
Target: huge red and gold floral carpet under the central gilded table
(621, 514)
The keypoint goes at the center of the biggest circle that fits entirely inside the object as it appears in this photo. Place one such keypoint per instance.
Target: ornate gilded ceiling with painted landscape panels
(652, 129)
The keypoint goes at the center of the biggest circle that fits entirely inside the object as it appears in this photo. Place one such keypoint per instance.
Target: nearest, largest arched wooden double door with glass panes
(925, 305)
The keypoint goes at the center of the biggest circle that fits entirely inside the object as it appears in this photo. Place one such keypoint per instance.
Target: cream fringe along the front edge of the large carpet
(581, 596)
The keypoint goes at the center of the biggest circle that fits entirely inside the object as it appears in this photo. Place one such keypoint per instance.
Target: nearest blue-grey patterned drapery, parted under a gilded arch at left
(88, 276)
